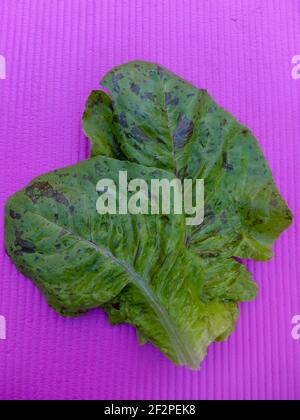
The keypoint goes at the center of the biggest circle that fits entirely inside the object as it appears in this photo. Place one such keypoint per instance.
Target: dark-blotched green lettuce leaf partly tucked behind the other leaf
(159, 120)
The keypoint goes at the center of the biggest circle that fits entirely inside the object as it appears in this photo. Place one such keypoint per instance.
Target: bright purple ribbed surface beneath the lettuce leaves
(56, 52)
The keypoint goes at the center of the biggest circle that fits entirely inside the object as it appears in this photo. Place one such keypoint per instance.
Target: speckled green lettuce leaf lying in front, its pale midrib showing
(137, 267)
